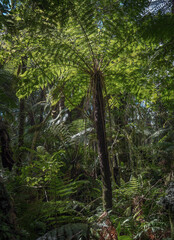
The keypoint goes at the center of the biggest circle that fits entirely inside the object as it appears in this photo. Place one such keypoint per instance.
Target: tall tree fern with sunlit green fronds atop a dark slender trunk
(86, 48)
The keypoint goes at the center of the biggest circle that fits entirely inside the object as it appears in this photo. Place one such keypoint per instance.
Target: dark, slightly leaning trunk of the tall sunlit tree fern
(99, 118)
